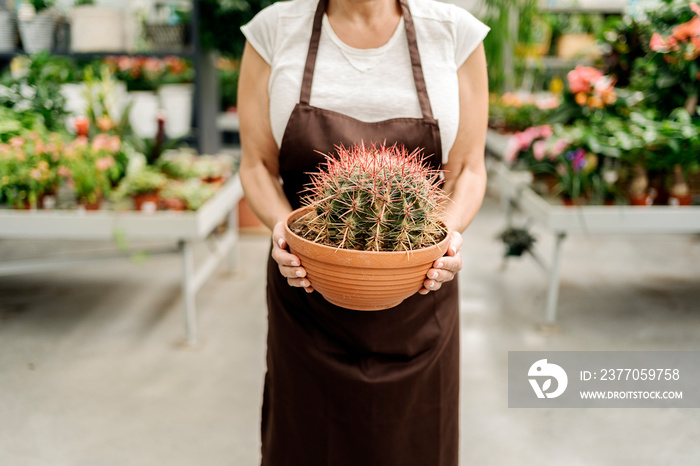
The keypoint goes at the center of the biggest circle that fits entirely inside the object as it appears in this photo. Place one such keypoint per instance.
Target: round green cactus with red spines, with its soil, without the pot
(374, 198)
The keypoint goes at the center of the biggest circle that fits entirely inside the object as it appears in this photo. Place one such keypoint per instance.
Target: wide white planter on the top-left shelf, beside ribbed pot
(97, 29)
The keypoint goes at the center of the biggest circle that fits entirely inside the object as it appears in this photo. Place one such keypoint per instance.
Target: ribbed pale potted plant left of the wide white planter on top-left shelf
(37, 23)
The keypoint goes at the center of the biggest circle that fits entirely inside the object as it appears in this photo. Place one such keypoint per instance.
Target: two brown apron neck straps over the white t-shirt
(416, 66)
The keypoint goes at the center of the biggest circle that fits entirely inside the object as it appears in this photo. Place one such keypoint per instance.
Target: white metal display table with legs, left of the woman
(185, 228)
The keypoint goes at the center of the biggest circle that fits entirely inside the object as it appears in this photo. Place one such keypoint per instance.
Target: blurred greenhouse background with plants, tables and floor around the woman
(132, 271)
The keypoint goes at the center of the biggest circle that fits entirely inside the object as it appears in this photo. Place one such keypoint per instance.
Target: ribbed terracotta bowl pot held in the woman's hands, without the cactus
(362, 280)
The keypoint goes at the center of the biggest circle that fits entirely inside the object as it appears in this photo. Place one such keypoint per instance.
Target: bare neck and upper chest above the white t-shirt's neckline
(364, 23)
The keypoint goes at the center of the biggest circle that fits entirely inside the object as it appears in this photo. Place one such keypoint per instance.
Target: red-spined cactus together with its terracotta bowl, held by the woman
(370, 227)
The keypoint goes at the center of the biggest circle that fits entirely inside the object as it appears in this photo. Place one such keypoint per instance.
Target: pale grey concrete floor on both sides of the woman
(90, 372)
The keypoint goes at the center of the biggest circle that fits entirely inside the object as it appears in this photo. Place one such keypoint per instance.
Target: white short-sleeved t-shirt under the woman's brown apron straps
(367, 84)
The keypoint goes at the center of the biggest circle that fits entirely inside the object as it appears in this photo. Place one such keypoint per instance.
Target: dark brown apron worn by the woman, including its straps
(354, 388)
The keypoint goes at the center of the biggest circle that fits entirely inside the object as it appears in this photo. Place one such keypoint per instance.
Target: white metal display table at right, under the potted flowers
(592, 220)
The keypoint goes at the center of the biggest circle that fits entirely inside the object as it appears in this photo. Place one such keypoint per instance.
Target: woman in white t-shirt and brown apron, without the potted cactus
(349, 387)
